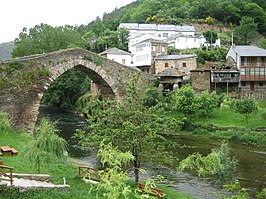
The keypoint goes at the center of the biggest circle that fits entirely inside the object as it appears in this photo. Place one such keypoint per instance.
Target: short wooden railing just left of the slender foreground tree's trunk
(89, 173)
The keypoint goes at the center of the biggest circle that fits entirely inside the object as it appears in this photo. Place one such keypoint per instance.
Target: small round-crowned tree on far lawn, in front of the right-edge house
(246, 107)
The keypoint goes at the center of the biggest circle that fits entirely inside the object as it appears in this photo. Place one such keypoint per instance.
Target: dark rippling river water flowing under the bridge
(251, 169)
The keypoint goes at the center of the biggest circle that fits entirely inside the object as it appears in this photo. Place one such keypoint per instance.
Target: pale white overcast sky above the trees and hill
(16, 14)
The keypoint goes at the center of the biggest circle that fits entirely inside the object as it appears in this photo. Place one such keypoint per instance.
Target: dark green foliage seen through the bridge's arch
(67, 88)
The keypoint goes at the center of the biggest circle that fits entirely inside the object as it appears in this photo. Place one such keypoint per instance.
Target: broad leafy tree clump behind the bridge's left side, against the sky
(44, 38)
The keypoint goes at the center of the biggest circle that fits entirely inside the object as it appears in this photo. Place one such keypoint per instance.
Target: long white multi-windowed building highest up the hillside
(158, 31)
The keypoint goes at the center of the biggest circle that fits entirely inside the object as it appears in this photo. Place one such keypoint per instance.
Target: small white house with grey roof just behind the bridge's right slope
(119, 56)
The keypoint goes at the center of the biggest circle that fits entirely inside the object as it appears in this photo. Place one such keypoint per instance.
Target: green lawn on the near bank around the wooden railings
(57, 169)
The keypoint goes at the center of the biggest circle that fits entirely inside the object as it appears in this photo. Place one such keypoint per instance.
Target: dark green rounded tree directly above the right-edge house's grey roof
(246, 31)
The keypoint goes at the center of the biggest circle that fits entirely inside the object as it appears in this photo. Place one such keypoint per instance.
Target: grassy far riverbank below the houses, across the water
(225, 124)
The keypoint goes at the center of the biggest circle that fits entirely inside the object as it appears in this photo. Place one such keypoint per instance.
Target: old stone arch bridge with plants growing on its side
(24, 80)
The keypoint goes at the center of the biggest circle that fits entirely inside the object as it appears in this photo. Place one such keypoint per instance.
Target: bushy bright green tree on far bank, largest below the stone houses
(184, 101)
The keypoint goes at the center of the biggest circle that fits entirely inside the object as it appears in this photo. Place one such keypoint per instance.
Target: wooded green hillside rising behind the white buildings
(222, 16)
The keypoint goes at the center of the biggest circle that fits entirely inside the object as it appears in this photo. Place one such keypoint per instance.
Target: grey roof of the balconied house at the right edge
(249, 51)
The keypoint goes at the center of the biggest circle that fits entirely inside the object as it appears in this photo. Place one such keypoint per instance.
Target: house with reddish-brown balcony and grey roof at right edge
(251, 62)
